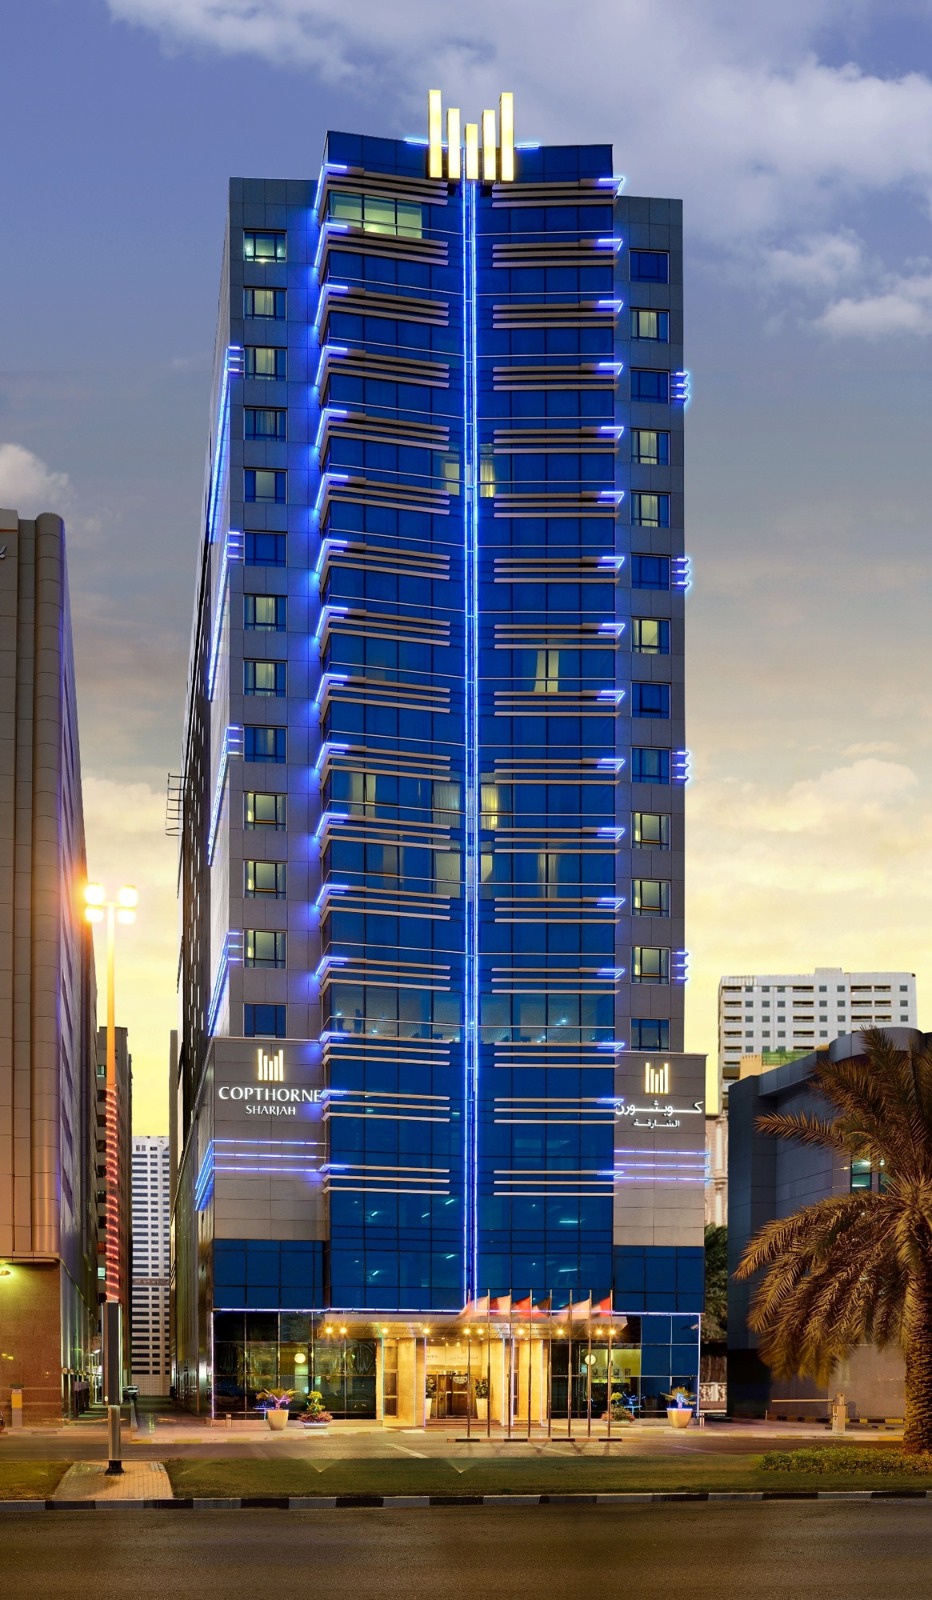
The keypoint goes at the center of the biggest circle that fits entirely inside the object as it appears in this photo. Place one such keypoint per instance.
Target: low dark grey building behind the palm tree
(771, 1178)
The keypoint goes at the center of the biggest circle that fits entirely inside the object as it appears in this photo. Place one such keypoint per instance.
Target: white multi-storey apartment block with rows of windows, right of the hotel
(800, 1012)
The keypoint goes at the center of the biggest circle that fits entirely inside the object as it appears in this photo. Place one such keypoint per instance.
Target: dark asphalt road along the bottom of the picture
(813, 1551)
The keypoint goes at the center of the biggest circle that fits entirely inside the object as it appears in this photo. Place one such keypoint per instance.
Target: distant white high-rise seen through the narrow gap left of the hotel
(151, 1265)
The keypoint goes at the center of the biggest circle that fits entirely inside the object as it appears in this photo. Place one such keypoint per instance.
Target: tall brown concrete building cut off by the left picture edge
(49, 1295)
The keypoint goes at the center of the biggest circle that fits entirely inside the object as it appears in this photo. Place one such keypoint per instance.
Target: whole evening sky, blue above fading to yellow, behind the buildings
(800, 138)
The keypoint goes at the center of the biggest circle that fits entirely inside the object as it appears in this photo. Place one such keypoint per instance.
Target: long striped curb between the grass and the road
(428, 1502)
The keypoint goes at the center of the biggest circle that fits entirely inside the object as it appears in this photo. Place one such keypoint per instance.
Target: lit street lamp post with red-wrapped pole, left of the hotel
(119, 911)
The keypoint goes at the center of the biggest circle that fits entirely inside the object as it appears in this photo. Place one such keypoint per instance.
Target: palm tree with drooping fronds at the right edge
(859, 1266)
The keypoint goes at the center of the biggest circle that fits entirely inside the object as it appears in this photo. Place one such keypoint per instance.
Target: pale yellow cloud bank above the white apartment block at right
(830, 871)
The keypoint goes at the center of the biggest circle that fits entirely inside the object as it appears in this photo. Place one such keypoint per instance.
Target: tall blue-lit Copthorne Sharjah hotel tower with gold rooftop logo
(432, 844)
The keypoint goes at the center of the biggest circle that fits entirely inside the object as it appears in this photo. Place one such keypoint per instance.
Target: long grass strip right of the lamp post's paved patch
(470, 1478)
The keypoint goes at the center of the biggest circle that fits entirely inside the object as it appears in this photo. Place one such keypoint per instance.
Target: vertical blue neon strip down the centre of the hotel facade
(472, 740)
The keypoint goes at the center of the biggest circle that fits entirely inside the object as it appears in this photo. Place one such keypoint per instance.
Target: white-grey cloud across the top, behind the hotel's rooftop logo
(755, 129)
